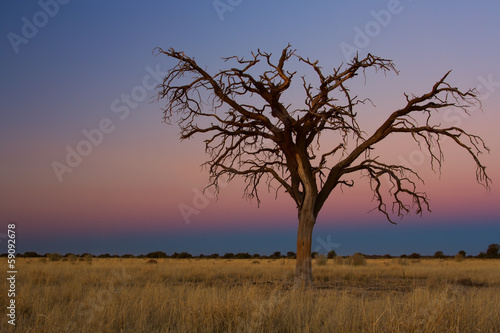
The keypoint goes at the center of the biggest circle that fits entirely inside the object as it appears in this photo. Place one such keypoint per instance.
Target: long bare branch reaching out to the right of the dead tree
(440, 96)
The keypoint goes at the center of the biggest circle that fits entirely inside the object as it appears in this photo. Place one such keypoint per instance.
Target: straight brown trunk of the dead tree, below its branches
(303, 272)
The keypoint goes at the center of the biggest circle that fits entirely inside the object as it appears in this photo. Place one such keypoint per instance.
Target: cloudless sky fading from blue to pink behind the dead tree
(74, 72)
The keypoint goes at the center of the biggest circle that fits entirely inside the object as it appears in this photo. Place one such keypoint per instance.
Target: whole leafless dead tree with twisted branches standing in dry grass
(267, 141)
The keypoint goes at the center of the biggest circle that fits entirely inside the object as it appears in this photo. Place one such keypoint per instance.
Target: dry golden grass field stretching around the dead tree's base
(215, 295)
